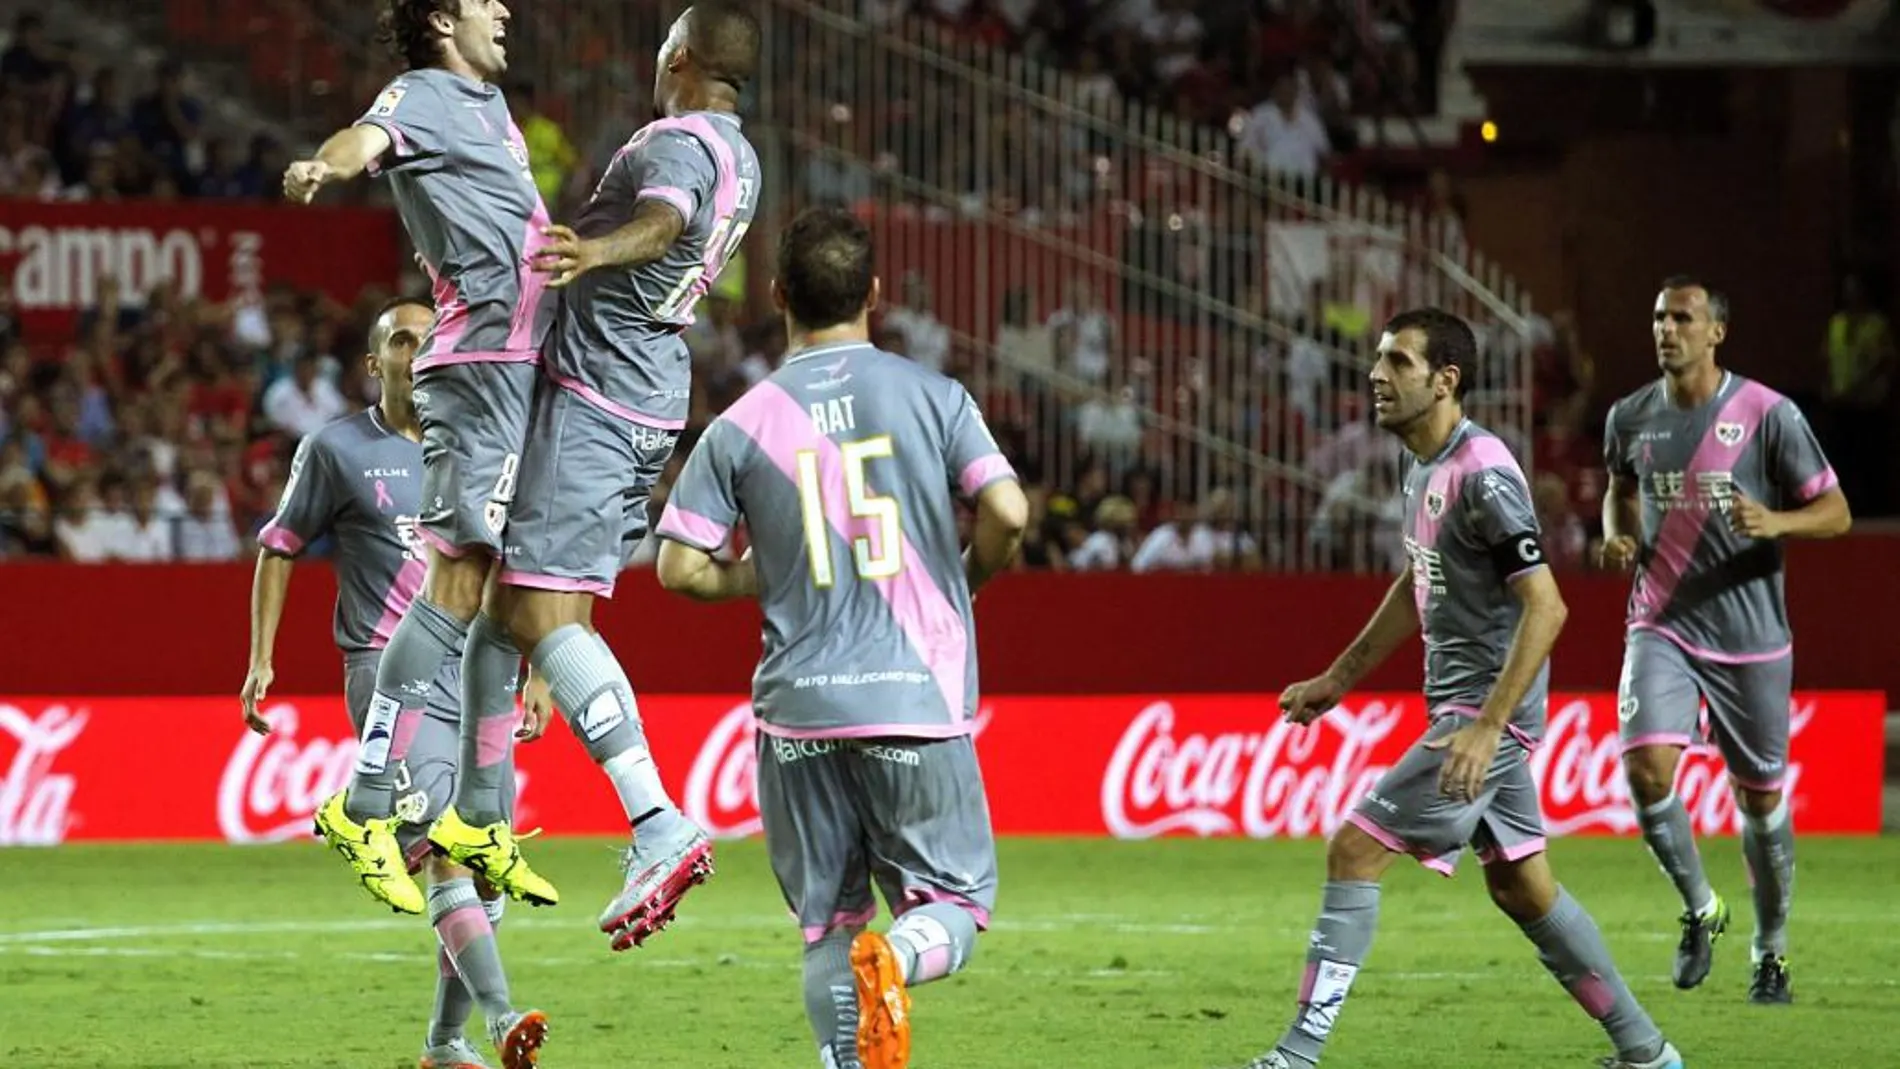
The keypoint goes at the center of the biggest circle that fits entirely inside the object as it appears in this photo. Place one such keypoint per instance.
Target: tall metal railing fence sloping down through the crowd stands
(1139, 310)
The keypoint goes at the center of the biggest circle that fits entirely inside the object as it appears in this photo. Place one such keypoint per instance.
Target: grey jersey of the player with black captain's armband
(1470, 531)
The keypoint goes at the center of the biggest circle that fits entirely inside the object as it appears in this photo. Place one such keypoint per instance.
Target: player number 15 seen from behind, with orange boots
(845, 466)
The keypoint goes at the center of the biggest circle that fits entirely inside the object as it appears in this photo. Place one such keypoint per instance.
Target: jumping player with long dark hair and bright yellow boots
(459, 168)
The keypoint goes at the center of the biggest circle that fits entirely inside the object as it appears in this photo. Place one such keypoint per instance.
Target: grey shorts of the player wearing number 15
(903, 814)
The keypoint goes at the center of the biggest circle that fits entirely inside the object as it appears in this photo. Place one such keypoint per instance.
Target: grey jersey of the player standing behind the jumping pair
(360, 481)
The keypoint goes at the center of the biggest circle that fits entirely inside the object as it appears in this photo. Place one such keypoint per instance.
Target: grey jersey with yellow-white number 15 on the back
(845, 466)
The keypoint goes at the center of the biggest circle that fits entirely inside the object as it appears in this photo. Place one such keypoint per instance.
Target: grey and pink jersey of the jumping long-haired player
(459, 170)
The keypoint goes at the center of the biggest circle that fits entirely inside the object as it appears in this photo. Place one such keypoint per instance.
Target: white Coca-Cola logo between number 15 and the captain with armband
(1280, 781)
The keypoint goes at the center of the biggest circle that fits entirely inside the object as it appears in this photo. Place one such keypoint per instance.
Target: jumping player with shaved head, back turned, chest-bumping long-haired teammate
(666, 217)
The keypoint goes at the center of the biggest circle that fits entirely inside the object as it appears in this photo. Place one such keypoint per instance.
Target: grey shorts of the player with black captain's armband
(1409, 814)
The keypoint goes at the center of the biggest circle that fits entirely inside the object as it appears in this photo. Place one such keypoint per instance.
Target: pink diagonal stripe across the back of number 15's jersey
(936, 631)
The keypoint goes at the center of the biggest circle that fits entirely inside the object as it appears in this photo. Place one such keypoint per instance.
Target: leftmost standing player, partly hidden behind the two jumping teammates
(360, 481)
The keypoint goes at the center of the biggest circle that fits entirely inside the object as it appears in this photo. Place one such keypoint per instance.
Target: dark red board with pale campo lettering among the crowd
(54, 255)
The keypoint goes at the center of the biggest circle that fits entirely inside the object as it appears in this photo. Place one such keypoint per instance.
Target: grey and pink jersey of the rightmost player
(1701, 586)
